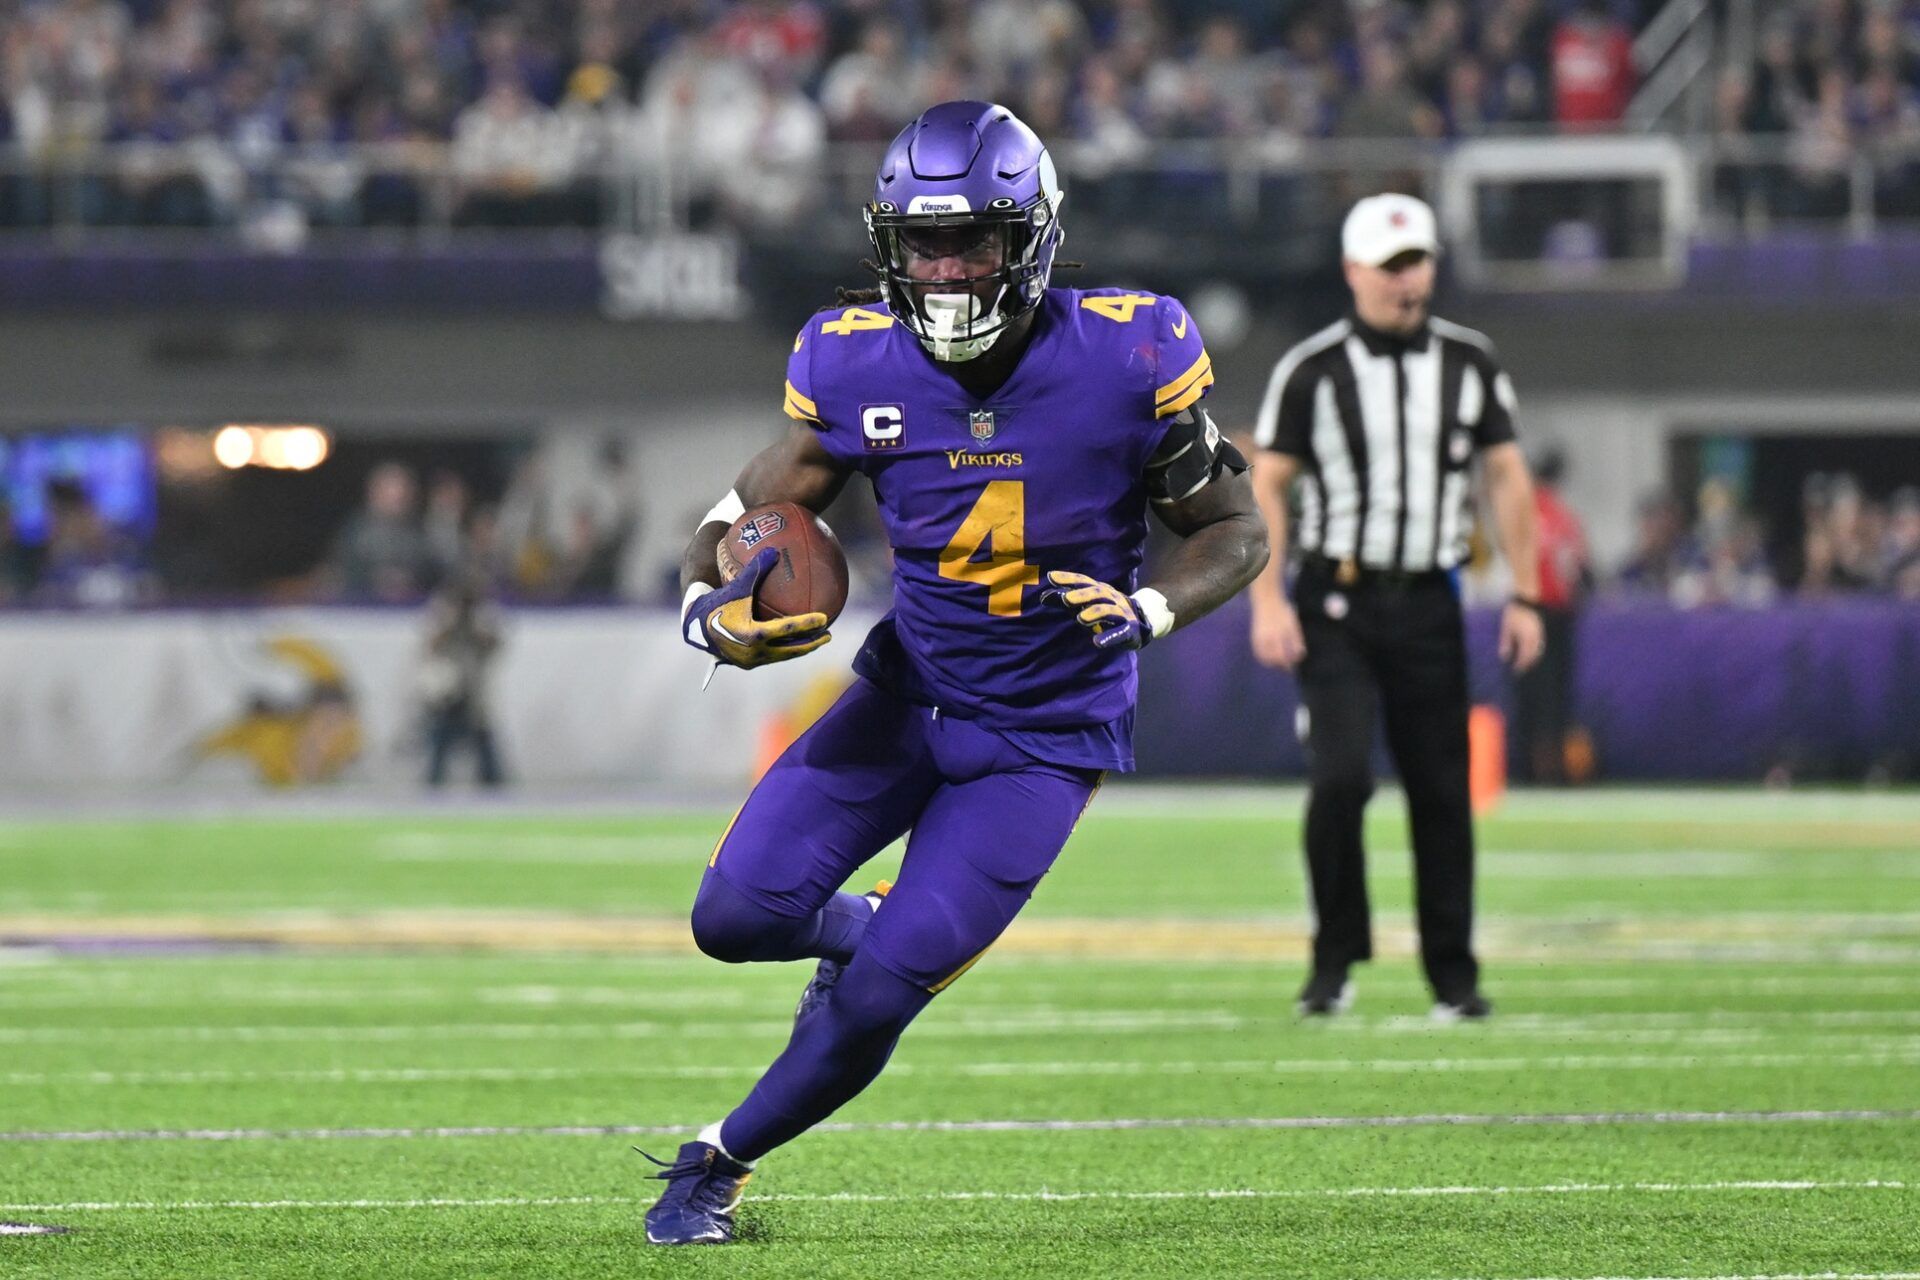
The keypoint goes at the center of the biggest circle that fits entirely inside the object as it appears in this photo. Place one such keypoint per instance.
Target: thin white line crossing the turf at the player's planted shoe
(1044, 1195)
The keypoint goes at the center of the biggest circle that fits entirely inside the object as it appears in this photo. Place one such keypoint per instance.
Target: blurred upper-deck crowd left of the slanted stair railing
(531, 97)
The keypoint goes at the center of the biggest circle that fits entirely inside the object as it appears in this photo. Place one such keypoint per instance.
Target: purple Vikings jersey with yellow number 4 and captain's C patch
(984, 498)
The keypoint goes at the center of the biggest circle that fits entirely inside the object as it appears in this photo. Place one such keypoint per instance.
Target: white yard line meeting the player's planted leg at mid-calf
(1892, 1055)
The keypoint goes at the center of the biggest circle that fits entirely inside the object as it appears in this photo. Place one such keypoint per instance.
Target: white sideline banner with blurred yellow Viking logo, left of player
(291, 698)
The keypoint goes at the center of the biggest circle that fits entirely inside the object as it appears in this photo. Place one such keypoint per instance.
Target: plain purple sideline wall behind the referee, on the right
(1829, 690)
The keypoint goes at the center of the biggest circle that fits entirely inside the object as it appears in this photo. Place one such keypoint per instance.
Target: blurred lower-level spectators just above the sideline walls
(539, 542)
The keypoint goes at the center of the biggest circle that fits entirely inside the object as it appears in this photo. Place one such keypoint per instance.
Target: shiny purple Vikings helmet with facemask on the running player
(971, 187)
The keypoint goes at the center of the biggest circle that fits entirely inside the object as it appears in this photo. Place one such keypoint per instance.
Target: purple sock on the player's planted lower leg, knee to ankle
(834, 1055)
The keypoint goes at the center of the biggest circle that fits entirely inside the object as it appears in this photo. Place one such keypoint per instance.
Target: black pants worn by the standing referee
(1391, 646)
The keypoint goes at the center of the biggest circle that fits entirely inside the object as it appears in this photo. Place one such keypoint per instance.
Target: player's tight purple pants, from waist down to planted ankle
(988, 822)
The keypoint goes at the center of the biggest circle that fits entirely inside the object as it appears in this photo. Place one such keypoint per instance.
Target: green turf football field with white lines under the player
(425, 1045)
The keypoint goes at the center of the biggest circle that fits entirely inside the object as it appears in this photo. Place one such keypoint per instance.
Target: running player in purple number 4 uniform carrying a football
(1017, 437)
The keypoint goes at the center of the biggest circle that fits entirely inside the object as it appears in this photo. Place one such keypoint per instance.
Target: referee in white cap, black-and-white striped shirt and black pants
(1380, 417)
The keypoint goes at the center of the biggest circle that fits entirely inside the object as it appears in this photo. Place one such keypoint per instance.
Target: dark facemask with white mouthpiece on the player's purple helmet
(1007, 256)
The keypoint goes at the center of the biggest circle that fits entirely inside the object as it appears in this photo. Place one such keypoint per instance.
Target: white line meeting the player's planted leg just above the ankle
(988, 1127)
